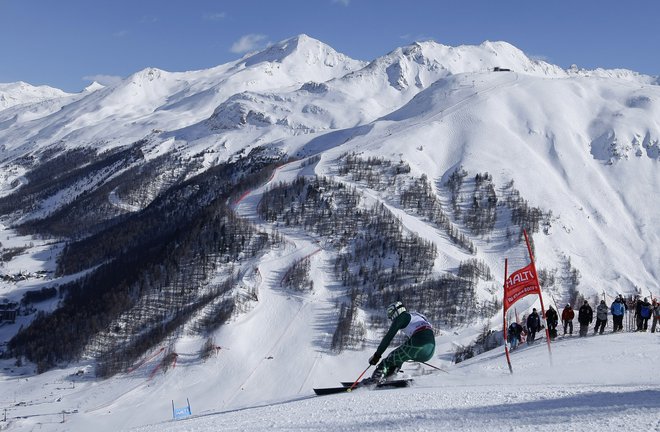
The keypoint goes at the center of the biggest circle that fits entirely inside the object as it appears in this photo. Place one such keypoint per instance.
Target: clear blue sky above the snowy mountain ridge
(68, 43)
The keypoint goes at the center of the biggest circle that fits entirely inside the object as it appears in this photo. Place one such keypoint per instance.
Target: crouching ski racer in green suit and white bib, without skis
(419, 346)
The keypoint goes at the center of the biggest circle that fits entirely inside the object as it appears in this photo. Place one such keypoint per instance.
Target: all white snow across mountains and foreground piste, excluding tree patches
(583, 145)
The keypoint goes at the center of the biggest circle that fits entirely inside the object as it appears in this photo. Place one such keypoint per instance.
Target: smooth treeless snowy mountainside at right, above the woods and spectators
(583, 148)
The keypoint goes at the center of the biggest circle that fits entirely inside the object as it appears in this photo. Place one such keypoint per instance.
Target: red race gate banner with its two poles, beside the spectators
(519, 284)
